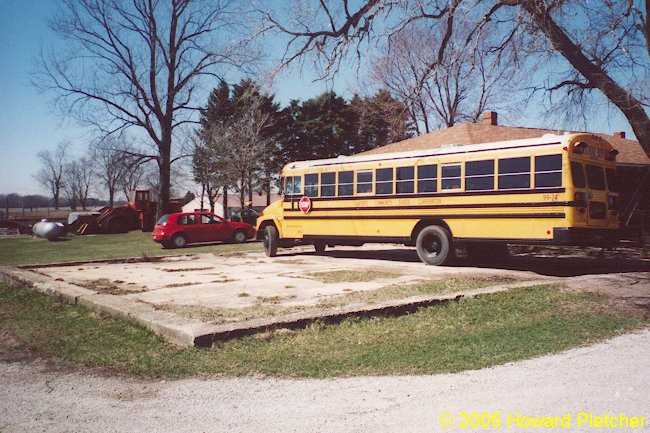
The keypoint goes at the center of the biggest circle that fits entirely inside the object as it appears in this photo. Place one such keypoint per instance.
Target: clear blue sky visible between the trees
(30, 123)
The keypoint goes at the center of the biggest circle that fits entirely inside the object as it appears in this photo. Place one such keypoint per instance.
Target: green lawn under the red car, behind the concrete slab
(29, 250)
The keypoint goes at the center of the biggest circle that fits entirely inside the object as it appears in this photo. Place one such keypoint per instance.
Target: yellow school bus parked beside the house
(555, 189)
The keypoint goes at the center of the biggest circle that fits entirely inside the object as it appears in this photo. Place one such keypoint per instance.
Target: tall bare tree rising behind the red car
(138, 64)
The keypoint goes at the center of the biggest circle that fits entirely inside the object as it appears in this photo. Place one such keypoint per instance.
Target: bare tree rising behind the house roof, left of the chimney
(461, 88)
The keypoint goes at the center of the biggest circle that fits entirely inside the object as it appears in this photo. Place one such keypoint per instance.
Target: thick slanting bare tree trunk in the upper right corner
(595, 75)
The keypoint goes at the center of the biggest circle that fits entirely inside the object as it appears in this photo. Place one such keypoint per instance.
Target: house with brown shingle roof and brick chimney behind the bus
(633, 163)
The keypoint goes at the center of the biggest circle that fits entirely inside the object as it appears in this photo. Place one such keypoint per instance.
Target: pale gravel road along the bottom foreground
(605, 379)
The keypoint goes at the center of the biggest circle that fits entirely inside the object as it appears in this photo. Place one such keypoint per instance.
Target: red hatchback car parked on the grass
(176, 230)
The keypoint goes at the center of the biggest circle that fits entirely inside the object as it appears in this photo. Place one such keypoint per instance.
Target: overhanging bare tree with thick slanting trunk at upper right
(602, 45)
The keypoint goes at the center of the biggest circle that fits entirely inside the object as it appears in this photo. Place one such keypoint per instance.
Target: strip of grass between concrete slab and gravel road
(455, 336)
